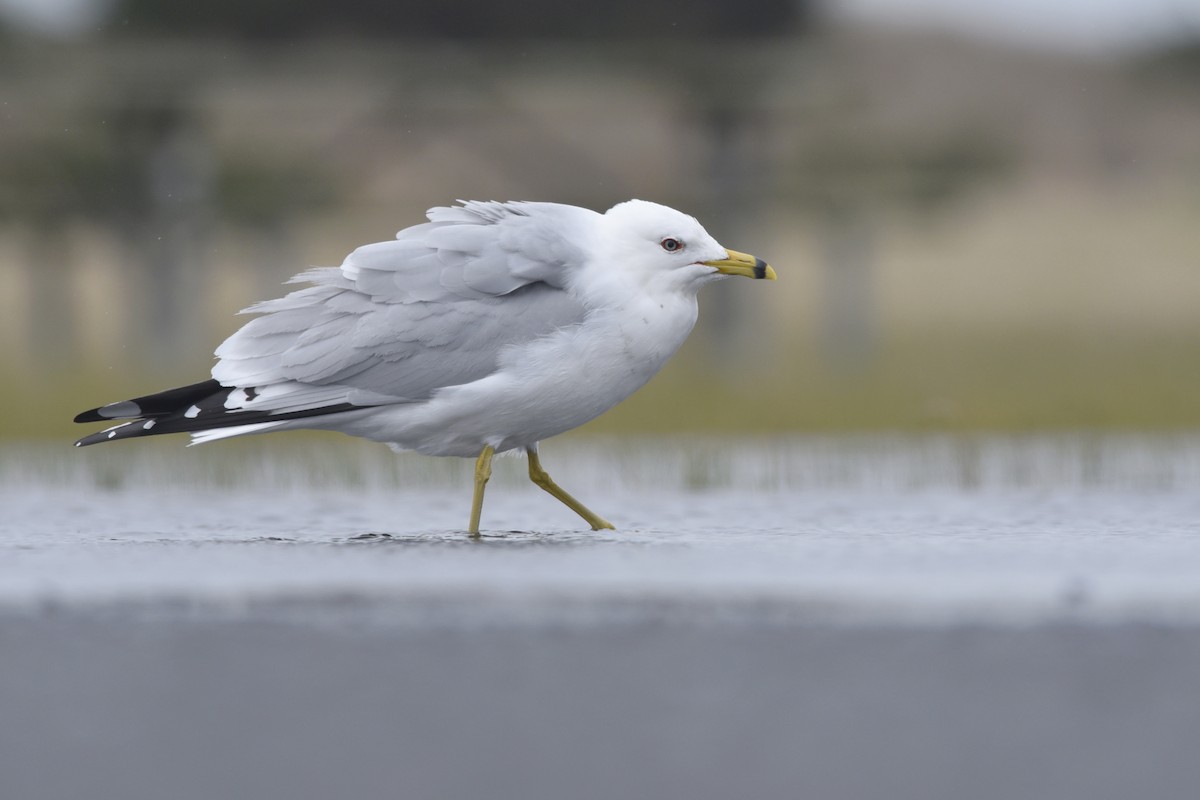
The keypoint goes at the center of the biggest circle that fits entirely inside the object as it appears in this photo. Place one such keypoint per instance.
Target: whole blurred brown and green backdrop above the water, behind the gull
(973, 232)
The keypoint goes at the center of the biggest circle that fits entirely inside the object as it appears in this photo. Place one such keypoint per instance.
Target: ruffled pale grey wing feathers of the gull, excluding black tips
(404, 318)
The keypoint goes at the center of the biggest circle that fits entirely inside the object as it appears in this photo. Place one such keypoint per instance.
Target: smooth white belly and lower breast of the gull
(542, 389)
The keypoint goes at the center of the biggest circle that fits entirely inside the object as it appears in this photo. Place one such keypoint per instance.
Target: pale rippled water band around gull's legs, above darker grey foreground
(854, 528)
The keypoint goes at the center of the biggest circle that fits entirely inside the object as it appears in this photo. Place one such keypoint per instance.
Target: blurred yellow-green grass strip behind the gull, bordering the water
(1037, 382)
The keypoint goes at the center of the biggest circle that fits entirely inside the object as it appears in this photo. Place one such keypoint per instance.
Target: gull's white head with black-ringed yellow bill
(670, 248)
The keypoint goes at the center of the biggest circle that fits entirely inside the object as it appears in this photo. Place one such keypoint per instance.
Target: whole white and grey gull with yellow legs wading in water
(488, 329)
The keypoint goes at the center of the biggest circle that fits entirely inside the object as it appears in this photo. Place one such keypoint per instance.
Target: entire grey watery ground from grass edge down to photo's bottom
(853, 617)
